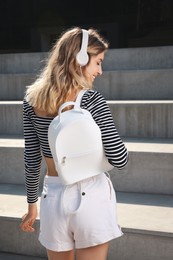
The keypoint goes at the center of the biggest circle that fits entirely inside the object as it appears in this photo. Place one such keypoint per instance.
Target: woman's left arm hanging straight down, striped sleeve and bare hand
(32, 162)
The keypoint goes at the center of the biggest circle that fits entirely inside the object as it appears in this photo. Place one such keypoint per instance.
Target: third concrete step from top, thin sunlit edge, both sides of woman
(139, 119)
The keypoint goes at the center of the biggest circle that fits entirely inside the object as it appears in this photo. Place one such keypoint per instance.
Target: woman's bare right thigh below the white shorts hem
(93, 253)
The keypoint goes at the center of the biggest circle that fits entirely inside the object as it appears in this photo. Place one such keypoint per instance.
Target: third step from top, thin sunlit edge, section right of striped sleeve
(149, 119)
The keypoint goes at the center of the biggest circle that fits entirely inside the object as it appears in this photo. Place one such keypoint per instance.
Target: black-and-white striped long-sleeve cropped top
(36, 139)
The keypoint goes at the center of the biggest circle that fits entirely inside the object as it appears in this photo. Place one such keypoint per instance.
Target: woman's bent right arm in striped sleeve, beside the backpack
(115, 150)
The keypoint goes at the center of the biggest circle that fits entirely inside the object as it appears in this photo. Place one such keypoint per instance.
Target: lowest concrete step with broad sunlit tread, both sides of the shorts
(146, 221)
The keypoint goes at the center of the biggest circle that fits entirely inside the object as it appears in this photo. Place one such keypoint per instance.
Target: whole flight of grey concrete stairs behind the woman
(137, 84)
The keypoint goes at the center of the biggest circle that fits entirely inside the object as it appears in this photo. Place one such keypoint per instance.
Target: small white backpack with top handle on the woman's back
(76, 144)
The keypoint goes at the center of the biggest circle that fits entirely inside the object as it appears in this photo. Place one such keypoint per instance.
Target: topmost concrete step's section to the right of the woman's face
(139, 58)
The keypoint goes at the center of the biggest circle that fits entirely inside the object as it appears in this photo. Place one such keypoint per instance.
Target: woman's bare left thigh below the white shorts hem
(67, 255)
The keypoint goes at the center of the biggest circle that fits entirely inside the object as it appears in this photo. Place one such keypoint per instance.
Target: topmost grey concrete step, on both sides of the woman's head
(115, 59)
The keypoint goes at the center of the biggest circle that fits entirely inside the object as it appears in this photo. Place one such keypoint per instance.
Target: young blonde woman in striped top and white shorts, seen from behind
(71, 218)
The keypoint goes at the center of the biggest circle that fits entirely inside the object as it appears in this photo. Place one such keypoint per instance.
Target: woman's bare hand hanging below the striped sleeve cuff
(29, 218)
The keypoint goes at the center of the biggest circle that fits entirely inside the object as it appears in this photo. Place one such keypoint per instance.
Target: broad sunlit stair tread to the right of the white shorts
(146, 213)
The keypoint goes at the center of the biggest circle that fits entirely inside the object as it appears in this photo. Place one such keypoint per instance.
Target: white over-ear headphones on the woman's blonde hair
(82, 56)
